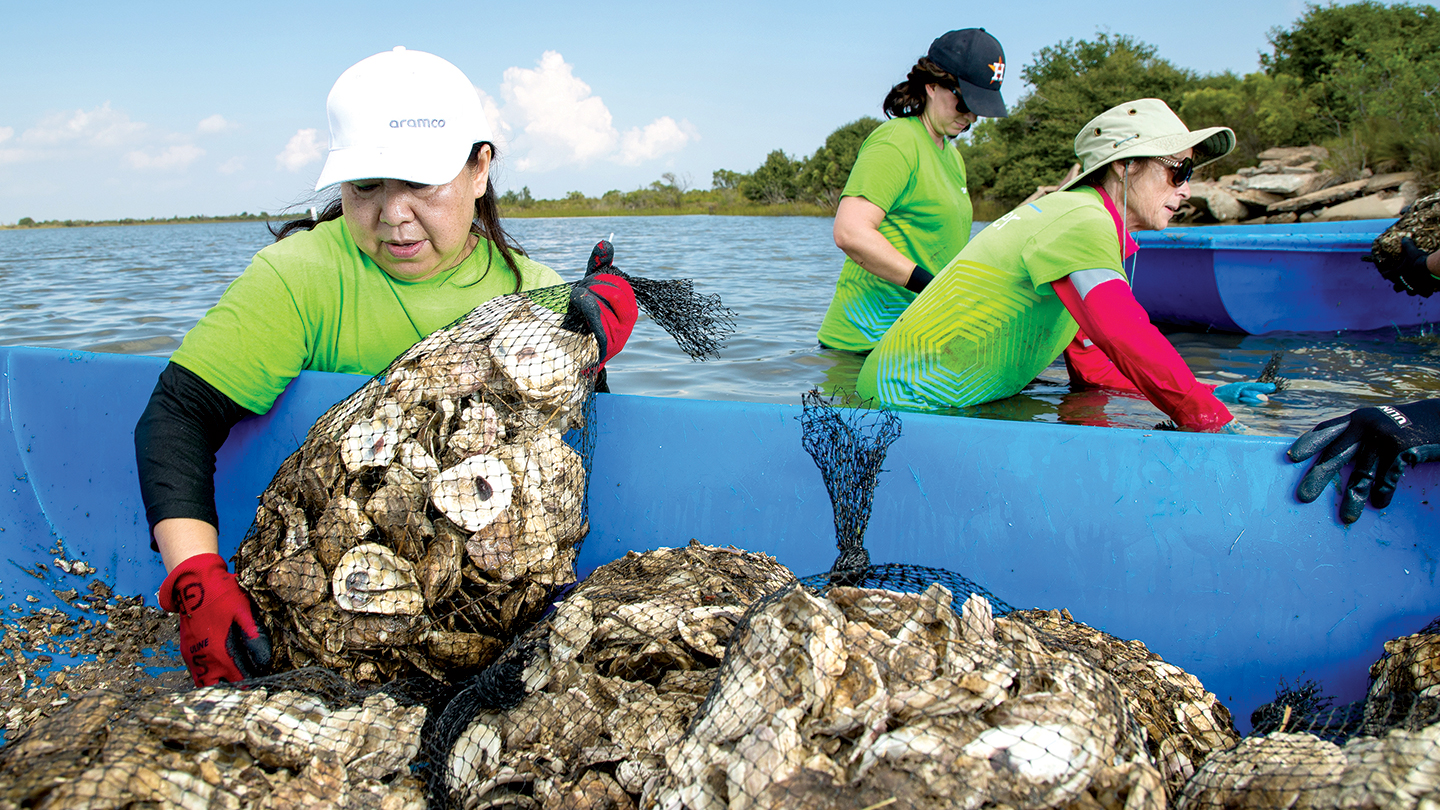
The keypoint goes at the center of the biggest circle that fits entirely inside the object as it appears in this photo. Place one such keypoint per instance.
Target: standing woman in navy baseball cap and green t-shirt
(906, 210)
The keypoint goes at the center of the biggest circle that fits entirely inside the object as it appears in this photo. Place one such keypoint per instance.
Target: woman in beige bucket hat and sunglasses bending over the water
(1050, 277)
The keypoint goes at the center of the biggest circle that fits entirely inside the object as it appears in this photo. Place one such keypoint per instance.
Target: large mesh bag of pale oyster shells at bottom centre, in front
(875, 698)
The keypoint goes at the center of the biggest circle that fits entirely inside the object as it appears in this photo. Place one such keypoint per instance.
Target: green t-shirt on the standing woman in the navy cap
(928, 220)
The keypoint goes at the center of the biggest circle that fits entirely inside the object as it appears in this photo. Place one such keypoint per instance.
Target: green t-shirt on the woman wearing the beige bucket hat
(990, 322)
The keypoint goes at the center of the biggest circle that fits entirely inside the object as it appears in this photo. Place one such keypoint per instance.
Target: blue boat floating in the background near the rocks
(1262, 279)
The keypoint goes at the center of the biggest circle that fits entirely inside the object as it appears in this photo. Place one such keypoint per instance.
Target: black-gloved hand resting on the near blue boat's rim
(1383, 442)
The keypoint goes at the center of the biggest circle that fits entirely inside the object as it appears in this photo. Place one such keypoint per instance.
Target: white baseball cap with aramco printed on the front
(405, 116)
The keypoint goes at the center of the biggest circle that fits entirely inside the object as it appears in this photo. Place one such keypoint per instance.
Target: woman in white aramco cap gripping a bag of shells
(411, 243)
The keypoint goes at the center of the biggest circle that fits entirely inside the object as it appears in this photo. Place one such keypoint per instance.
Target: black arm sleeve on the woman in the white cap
(176, 440)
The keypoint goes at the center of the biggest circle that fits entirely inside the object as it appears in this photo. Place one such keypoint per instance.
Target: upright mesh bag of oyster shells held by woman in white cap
(434, 514)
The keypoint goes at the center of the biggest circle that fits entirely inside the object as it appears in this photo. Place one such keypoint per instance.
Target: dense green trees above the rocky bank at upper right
(1362, 80)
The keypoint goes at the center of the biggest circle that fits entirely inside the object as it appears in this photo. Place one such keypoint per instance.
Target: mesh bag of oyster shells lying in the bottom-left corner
(296, 740)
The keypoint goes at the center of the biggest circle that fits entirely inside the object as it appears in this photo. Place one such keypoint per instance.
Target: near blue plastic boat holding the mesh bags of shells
(1193, 544)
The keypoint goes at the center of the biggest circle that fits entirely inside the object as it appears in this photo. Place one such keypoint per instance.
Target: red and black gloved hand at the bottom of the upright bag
(220, 638)
